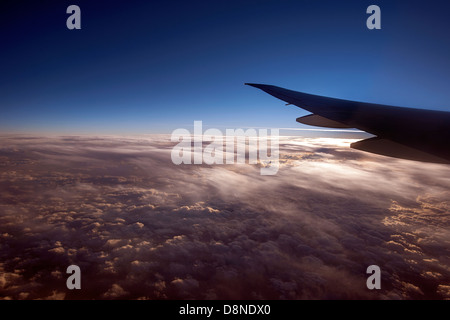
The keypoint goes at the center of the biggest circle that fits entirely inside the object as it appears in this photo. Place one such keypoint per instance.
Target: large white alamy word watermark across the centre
(236, 146)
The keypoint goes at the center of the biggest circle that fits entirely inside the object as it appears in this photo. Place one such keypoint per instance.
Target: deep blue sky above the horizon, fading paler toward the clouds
(153, 66)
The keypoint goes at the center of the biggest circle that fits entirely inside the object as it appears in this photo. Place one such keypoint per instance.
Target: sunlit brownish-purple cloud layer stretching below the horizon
(140, 227)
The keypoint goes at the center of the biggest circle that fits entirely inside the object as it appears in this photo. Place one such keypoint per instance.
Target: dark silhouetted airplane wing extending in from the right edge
(406, 133)
